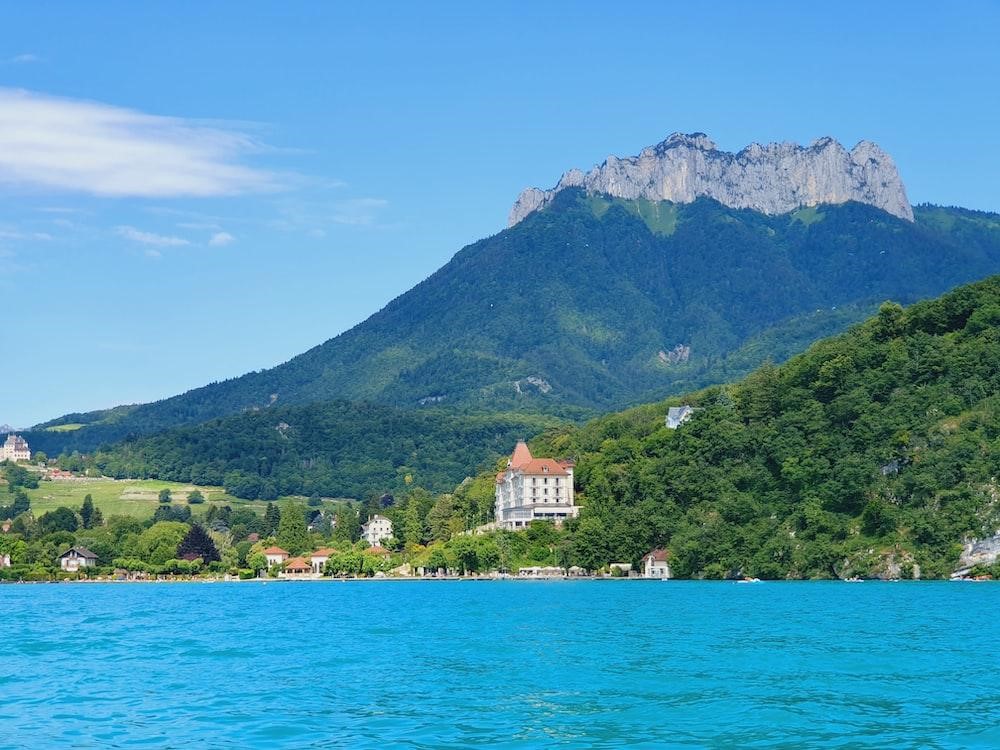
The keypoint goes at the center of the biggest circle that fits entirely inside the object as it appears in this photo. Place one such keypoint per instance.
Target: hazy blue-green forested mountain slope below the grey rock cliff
(594, 304)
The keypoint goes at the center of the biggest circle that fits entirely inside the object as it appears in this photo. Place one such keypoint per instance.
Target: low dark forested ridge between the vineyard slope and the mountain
(333, 449)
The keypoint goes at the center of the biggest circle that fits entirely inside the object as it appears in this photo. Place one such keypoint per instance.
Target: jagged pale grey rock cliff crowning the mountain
(774, 179)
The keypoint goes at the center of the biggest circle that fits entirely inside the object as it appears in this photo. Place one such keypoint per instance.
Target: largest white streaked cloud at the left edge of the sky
(90, 147)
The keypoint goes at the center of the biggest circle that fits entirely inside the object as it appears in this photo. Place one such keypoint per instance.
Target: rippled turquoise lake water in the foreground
(508, 664)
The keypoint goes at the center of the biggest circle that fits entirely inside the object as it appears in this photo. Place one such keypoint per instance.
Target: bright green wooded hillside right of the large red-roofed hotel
(874, 452)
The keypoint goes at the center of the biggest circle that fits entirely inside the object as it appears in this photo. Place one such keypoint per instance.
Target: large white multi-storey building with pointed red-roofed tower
(533, 489)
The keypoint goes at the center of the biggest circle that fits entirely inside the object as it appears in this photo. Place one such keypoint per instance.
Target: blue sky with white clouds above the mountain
(192, 191)
